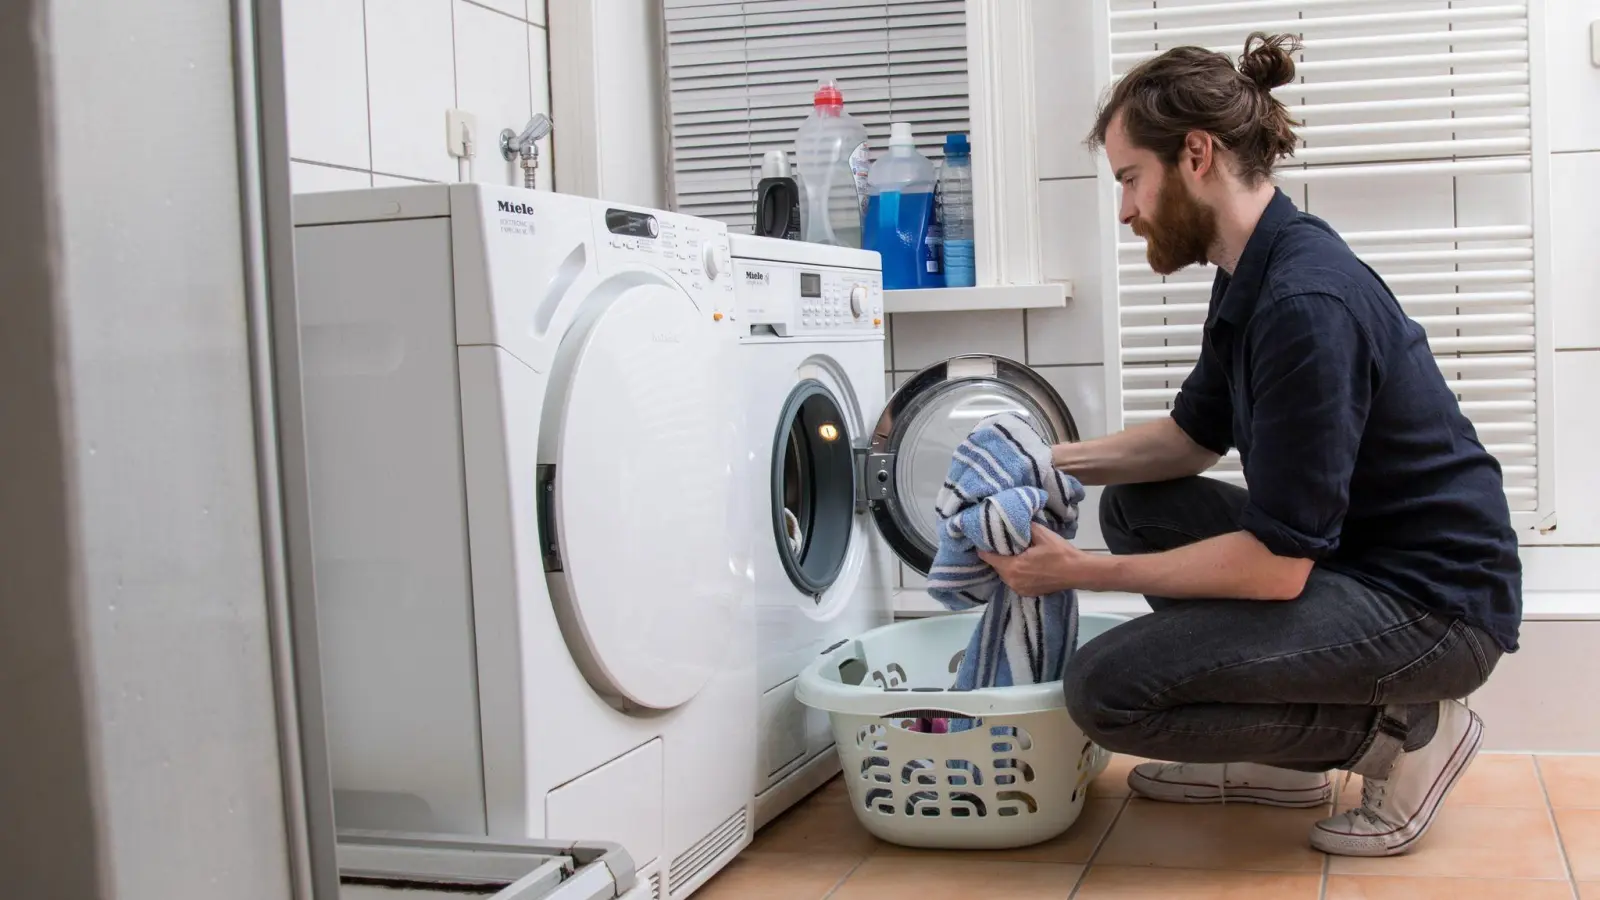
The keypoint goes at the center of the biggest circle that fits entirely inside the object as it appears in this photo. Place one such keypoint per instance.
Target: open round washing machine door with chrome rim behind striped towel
(927, 419)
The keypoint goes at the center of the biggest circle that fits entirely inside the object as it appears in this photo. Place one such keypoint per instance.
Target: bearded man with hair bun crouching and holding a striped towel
(1332, 616)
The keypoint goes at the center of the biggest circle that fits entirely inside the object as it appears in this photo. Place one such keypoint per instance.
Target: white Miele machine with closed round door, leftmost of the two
(534, 598)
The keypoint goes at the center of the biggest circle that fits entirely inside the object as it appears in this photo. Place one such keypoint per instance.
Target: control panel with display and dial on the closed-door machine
(692, 251)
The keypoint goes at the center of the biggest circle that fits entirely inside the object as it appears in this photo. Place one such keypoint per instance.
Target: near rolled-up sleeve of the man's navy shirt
(1313, 377)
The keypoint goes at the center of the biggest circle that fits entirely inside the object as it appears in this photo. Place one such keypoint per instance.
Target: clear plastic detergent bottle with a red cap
(831, 159)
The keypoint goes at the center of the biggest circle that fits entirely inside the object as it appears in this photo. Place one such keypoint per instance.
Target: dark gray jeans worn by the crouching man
(1342, 678)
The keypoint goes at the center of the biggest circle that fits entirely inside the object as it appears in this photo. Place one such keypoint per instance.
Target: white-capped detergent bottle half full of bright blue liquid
(900, 222)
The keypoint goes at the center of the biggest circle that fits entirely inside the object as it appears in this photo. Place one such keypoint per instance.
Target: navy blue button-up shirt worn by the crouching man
(1356, 452)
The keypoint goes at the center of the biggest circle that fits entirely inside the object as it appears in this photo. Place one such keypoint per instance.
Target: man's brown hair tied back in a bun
(1190, 89)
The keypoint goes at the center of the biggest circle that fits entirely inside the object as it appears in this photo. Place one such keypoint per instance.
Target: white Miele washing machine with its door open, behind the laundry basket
(844, 473)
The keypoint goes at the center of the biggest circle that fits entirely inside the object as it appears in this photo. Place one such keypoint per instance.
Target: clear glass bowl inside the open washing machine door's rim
(932, 438)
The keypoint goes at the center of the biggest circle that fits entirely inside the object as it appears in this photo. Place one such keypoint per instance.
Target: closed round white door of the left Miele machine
(641, 433)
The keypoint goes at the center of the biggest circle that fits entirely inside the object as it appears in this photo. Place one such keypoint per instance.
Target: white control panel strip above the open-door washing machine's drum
(793, 300)
